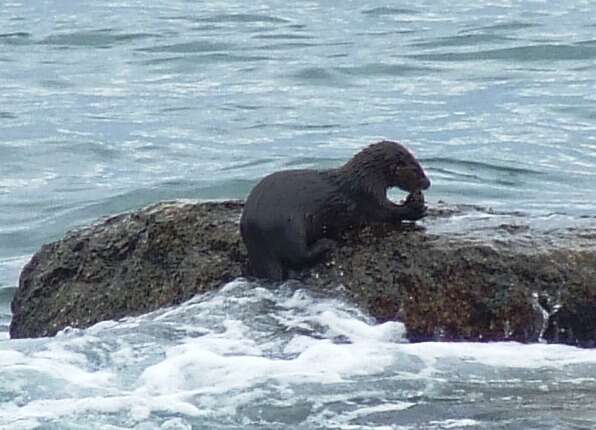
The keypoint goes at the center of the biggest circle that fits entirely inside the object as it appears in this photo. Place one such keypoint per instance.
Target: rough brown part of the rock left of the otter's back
(128, 265)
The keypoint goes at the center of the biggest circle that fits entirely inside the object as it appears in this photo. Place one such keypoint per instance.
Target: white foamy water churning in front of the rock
(255, 355)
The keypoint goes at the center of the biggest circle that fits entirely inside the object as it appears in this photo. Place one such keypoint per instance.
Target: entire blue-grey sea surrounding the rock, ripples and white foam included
(109, 106)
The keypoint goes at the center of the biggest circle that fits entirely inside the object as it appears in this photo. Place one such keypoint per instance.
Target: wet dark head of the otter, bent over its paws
(400, 168)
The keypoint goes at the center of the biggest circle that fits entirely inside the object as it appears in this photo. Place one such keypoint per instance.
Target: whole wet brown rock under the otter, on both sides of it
(507, 283)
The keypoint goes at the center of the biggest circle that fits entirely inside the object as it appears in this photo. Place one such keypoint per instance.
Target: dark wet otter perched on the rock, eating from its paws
(290, 217)
